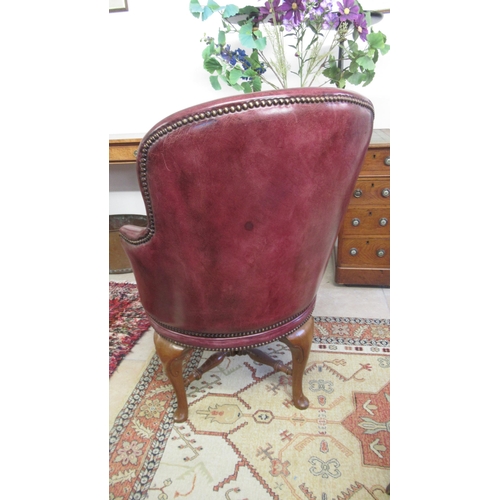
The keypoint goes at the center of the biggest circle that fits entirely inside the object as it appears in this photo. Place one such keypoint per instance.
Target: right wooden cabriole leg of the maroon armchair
(299, 343)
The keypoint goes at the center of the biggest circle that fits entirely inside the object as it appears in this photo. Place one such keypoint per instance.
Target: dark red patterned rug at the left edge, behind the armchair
(127, 321)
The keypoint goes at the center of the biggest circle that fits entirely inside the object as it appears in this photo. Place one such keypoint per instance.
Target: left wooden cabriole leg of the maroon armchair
(171, 356)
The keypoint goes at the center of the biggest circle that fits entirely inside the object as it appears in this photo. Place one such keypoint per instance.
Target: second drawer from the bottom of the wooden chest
(359, 221)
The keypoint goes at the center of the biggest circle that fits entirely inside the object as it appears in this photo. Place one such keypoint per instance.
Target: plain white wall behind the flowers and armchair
(155, 54)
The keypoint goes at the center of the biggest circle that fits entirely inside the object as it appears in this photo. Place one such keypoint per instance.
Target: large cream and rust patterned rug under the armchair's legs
(244, 439)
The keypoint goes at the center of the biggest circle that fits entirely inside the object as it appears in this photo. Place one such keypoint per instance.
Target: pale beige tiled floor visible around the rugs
(332, 300)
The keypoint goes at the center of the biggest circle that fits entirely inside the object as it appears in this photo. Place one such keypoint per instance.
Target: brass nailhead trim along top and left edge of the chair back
(217, 112)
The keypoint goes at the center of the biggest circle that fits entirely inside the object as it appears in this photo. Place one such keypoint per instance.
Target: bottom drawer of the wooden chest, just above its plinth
(364, 252)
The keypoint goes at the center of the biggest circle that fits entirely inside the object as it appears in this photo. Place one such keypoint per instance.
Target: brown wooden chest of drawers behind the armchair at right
(363, 247)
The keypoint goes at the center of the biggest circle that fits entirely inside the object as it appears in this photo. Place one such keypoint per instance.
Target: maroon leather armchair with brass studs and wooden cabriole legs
(244, 197)
